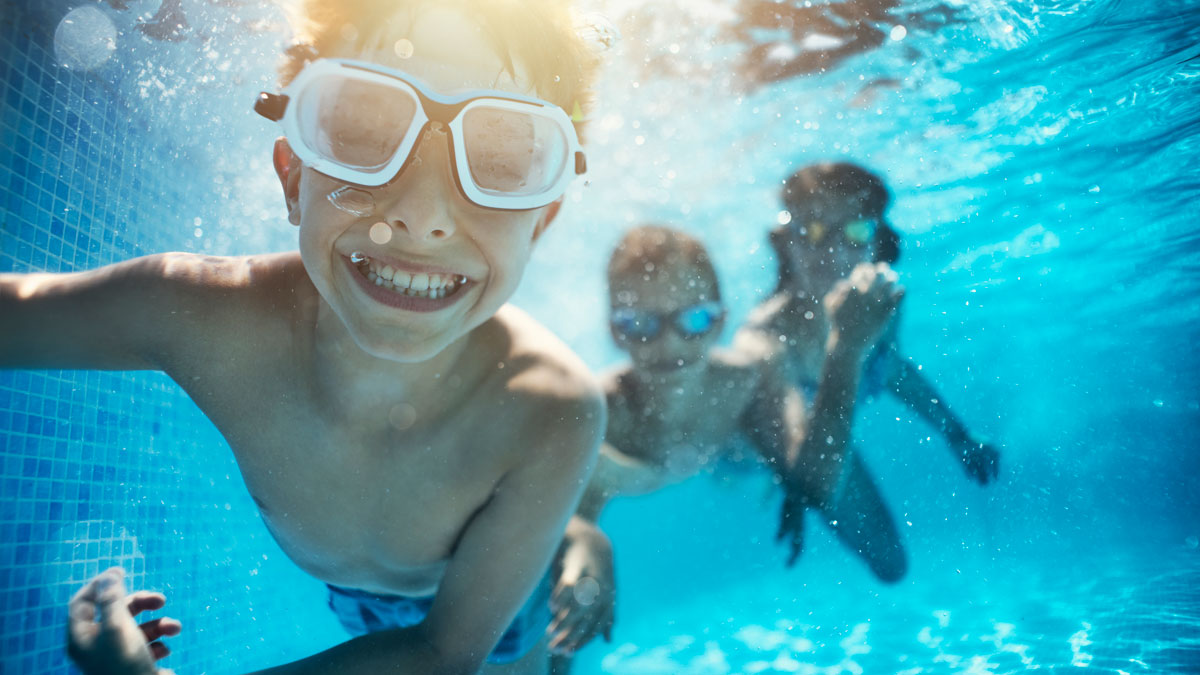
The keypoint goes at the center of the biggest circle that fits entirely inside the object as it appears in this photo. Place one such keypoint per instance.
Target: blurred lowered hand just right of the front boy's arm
(584, 599)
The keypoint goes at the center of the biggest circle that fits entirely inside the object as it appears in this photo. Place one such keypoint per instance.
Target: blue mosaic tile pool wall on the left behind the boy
(101, 469)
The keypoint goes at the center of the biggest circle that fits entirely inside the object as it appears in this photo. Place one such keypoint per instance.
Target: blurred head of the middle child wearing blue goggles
(664, 297)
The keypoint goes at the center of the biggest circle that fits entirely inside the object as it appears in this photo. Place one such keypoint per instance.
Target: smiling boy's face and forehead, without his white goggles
(430, 234)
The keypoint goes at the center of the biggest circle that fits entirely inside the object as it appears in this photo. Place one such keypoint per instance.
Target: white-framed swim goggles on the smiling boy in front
(359, 123)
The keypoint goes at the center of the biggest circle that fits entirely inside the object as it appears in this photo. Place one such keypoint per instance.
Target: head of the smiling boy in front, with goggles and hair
(419, 204)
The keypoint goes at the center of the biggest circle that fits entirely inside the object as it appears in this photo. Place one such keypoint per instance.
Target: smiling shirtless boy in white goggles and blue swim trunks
(412, 440)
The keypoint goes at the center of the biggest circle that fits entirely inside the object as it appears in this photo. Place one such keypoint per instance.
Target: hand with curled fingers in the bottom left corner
(103, 637)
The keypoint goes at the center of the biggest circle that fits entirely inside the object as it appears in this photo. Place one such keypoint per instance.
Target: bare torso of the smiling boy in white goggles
(353, 498)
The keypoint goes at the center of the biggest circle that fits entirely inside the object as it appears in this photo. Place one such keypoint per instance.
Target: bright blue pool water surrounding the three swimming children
(1043, 160)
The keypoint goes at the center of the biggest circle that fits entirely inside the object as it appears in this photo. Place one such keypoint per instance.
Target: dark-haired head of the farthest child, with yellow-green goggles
(837, 222)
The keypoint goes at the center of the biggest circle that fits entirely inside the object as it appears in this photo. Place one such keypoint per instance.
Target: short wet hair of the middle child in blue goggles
(651, 248)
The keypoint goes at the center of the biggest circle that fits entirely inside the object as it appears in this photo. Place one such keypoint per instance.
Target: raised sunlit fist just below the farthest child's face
(860, 308)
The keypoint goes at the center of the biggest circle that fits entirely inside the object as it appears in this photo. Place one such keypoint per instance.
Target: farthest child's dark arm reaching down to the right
(980, 458)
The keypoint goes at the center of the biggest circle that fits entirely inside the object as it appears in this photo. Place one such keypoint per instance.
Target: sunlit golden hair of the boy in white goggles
(539, 34)
